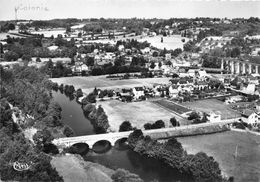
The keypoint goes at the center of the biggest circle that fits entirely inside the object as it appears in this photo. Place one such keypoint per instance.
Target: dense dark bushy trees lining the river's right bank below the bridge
(199, 167)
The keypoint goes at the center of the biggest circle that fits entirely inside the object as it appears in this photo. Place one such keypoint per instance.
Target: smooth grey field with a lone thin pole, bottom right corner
(222, 146)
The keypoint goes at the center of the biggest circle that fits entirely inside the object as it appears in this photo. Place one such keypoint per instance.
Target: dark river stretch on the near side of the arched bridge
(147, 169)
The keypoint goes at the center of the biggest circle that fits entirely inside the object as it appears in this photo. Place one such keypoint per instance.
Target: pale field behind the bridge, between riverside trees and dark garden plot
(138, 113)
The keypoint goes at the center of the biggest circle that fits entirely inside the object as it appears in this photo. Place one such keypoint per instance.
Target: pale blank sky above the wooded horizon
(50, 9)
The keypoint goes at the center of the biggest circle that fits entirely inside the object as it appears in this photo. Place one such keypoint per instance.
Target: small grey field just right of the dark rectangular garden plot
(209, 105)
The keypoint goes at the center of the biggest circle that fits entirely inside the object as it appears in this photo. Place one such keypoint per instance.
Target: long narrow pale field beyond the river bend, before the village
(87, 84)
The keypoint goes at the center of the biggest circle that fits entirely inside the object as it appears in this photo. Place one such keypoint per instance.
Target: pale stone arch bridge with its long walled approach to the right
(163, 133)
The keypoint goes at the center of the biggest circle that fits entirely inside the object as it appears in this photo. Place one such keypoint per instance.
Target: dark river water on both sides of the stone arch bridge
(147, 169)
